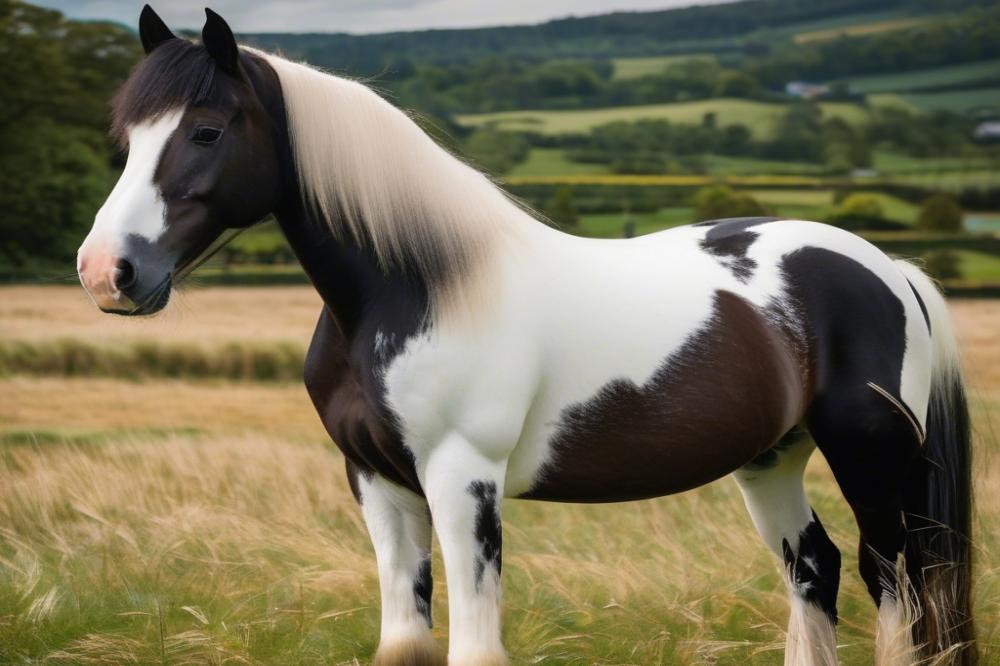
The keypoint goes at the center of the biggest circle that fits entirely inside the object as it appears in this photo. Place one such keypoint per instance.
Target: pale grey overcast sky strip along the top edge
(355, 15)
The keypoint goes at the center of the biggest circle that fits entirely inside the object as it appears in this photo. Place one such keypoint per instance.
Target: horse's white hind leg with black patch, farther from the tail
(774, 494)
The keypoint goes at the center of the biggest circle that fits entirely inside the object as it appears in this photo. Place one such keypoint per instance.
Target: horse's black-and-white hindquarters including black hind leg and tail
(889, 418)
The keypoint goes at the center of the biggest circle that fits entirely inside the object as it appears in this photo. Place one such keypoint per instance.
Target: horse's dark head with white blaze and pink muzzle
(202, 161)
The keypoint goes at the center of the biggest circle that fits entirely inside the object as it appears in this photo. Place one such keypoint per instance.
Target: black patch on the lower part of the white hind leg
(815, 569)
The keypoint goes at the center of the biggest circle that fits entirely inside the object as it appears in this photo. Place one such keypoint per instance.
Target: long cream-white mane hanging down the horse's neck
(379, 179)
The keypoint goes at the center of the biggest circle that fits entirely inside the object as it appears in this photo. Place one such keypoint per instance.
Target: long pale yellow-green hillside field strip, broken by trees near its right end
(760, 117)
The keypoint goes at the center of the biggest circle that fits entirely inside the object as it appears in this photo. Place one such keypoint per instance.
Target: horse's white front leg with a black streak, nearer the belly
(464, 488)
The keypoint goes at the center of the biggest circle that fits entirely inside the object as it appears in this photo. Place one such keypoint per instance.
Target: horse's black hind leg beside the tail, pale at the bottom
(870, 448)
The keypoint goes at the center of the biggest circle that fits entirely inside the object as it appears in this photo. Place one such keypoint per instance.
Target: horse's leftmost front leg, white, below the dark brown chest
(400, 528)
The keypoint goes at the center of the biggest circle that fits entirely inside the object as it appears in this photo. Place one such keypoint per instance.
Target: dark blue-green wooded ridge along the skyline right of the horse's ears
(715, 27)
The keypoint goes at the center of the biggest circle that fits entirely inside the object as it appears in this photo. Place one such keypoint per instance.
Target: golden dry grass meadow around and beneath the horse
(205, 520)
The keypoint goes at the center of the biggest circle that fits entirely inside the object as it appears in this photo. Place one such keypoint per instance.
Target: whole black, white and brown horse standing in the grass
(468, 352)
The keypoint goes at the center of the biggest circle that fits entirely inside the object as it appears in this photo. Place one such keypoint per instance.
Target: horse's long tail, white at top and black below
(938, 498)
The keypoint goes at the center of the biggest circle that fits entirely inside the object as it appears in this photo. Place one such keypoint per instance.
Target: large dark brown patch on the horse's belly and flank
(731, 391)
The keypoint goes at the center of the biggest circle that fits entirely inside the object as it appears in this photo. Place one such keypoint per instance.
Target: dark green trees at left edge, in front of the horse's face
(55, 166)
